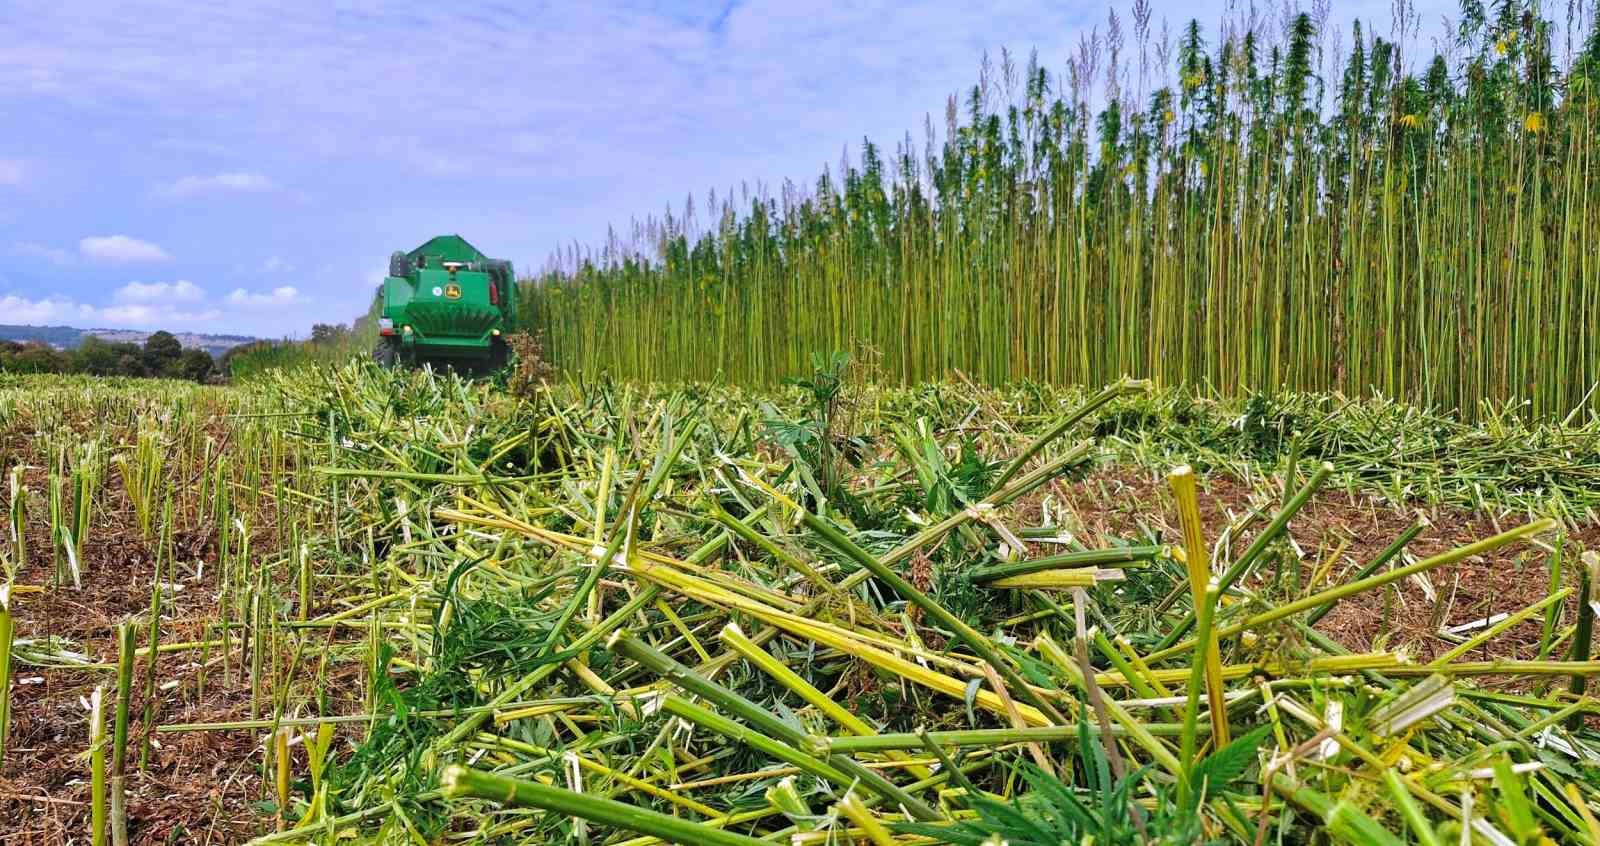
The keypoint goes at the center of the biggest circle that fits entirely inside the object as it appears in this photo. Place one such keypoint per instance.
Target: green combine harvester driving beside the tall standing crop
(447, 305)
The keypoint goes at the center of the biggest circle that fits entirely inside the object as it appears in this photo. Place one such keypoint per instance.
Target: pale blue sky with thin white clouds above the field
(249, 167)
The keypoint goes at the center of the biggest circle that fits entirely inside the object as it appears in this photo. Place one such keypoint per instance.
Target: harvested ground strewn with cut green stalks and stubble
(401, 605)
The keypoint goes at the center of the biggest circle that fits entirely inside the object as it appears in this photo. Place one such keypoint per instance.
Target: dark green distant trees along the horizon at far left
(162, 356)
